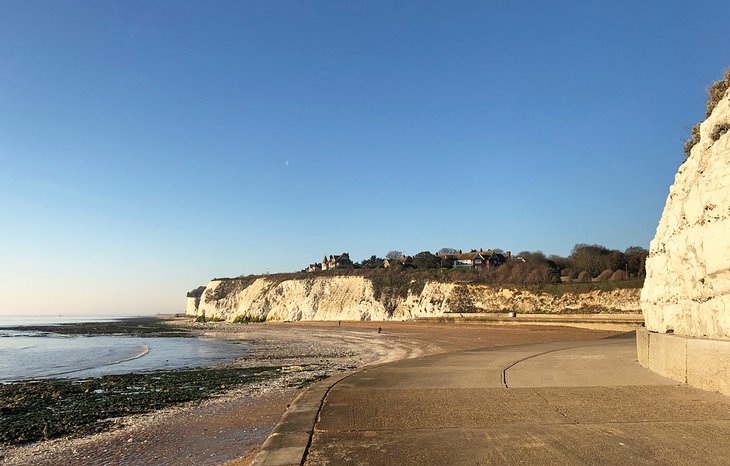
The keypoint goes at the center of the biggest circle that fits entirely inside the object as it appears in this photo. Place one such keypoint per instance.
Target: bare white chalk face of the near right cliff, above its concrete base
(687, 288)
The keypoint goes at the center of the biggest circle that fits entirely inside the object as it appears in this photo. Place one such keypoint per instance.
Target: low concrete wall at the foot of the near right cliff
(702, 363)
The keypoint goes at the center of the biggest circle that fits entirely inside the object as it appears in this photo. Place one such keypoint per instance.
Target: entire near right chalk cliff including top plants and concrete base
(686, 294)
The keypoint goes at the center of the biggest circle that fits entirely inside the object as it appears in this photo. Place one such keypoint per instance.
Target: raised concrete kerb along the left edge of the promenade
(288, 442)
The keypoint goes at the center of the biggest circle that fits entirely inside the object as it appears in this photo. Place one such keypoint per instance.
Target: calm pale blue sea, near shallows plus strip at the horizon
(33, 355)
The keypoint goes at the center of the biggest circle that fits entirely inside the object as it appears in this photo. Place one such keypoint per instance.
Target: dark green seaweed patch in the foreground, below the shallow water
(39, 410)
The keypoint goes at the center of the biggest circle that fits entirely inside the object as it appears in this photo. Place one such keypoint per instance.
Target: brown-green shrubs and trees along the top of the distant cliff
(589, 267)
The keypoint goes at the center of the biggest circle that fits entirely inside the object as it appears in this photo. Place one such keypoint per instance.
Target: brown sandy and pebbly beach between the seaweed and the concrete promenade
(230, 429)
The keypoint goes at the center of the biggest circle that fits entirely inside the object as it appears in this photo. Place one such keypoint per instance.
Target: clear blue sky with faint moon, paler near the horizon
(148, 146)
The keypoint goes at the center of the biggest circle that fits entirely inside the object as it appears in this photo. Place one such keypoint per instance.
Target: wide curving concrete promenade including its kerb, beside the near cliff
(558, 403)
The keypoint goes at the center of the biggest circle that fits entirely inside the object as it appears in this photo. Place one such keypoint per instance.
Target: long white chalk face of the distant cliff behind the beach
(356, 298)
